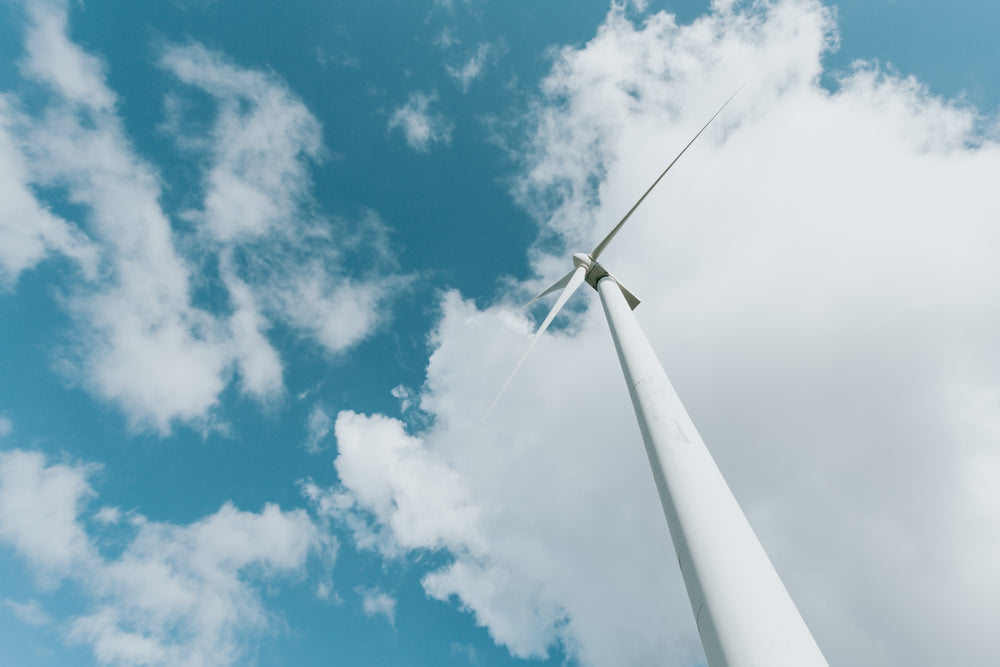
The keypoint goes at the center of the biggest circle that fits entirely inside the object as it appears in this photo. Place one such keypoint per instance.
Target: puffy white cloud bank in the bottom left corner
(173, 594)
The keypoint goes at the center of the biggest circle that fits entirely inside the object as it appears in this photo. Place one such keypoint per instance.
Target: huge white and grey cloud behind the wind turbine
(818, 275)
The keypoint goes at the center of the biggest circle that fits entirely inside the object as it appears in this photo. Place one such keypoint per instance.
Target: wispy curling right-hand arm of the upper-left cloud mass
(257, 203)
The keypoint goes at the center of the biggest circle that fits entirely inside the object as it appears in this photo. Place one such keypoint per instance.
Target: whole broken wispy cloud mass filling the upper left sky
(143, 343)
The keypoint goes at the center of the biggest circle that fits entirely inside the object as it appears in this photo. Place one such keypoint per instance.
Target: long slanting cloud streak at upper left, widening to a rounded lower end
(143, 346)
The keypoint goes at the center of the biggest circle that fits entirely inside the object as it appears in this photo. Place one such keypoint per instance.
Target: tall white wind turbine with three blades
(743, 612)
